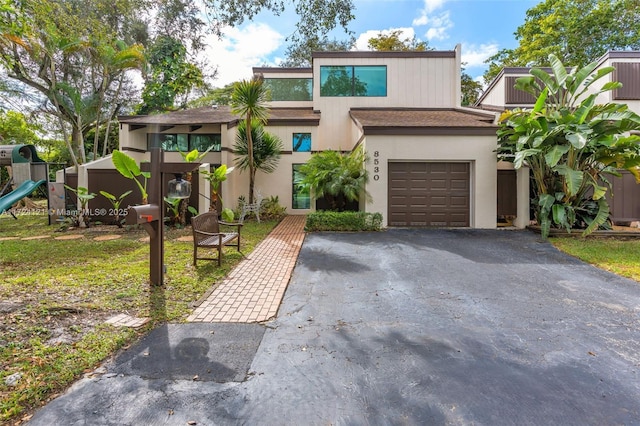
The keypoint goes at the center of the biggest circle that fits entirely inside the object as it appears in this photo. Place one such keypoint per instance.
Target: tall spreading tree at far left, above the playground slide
(66, 52)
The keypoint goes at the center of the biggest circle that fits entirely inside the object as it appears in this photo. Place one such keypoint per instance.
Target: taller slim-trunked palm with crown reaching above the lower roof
(249, 99)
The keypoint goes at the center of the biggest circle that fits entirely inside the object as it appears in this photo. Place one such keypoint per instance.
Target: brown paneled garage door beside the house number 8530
(429, 194)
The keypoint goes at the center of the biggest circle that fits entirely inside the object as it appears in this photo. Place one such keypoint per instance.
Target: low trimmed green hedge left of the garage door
(343, 221)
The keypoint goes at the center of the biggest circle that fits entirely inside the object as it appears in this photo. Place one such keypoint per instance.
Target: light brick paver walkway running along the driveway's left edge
(253, 290)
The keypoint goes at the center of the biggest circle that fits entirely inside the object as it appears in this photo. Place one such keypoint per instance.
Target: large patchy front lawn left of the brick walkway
(49, 285)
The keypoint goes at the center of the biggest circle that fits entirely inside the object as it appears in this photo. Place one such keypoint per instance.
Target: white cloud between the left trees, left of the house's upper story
(240, 50)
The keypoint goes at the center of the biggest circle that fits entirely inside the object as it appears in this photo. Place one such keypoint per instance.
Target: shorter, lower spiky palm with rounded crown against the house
(265, 151)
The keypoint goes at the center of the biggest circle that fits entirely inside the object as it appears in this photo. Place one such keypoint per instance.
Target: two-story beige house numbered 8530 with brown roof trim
(432, 162)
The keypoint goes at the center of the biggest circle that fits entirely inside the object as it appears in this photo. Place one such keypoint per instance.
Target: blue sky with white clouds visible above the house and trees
(482, 27)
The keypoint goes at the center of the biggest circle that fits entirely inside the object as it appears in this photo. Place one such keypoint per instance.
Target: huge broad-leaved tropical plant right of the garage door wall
(571, 144)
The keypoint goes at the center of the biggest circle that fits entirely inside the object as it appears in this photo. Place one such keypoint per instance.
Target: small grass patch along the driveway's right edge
(620, 256)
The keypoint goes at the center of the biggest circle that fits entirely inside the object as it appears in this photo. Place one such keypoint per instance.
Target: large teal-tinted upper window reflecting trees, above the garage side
(353, 80)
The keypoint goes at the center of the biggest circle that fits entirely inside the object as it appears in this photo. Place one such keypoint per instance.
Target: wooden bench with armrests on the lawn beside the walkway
(207, 235)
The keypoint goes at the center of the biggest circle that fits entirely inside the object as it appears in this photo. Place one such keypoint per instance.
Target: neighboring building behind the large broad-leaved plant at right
(501, 95)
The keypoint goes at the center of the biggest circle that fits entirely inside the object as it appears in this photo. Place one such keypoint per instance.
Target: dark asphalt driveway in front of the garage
(457, 327)
